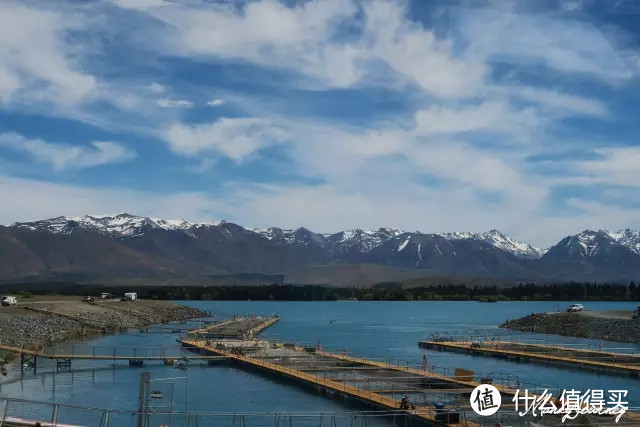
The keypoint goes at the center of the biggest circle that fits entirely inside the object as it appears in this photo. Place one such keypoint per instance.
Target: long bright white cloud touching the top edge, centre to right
(303, 38)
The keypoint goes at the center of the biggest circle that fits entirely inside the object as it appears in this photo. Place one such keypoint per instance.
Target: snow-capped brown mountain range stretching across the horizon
(124, 246)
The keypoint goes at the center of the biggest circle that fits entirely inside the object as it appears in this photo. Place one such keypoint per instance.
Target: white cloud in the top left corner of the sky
(35, 61)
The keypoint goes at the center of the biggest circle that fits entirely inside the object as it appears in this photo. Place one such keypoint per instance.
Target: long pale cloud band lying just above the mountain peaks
(323, 208)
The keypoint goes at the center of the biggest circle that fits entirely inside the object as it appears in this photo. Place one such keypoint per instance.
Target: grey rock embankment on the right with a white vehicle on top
(581, 325)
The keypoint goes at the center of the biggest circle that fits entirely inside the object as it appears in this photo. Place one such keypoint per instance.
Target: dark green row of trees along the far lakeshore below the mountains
(573, 291)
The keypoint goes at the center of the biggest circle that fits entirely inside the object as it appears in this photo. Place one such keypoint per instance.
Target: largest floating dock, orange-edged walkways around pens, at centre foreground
(375, 383)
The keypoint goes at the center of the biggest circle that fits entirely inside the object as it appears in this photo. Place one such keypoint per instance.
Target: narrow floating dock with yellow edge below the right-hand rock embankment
(594, 360)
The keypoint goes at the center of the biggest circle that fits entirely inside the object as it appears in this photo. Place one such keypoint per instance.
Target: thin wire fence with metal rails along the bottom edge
(21, 412)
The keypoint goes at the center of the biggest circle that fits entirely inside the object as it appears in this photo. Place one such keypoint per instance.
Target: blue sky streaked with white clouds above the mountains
(429, 116)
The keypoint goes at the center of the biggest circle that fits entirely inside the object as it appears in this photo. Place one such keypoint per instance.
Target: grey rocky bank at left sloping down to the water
(37, 325)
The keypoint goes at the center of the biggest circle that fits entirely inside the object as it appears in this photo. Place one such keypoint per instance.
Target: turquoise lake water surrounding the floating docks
(384, 330)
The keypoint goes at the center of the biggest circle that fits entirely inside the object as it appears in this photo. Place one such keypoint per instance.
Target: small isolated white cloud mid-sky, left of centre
(234, 138)
